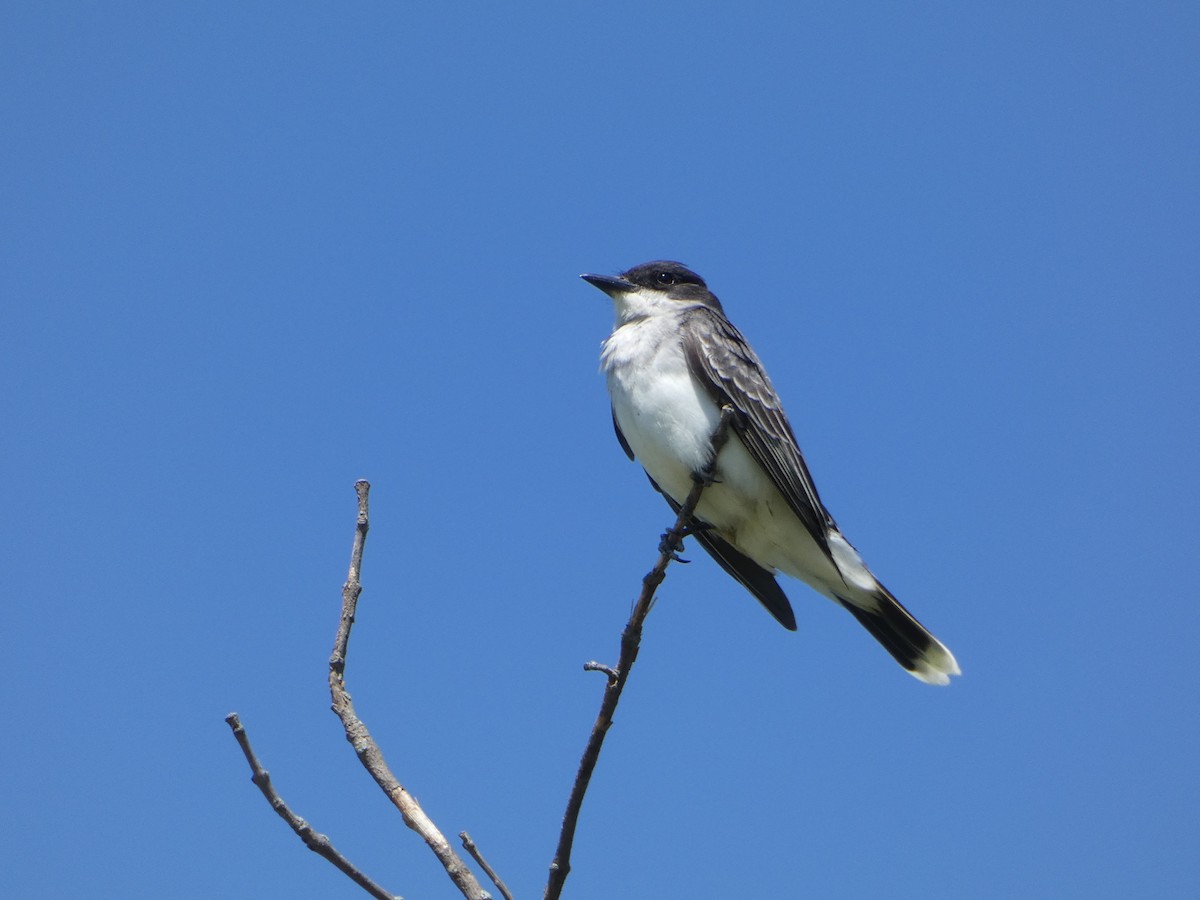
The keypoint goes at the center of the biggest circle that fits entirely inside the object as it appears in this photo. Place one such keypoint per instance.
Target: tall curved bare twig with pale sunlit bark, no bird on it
(361, 739)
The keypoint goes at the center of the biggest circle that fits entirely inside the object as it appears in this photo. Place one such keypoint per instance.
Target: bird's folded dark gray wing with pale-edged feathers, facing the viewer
(725, 364)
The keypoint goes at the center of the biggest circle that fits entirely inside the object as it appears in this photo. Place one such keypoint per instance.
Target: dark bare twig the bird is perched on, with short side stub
(631, 643)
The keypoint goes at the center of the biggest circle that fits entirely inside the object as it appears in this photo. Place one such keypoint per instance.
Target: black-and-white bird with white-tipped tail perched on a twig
(673, 363)
